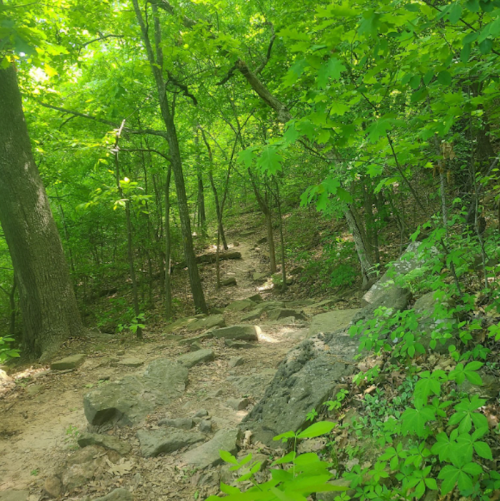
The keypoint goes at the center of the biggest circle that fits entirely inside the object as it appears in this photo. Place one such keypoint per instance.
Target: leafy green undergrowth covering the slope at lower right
(419, 417)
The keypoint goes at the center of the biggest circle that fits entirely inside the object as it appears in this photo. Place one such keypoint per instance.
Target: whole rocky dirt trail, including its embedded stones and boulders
(121, 420)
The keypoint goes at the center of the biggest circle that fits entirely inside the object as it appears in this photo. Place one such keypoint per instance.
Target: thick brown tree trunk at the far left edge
(48, 305)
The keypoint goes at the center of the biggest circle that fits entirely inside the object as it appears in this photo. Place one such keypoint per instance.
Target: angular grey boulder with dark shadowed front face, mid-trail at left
(128, 401)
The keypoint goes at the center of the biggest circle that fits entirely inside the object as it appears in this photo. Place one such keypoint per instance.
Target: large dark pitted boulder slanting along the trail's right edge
(307, 376)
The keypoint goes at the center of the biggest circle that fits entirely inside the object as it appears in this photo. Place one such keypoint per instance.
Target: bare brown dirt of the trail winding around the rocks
(45, 414)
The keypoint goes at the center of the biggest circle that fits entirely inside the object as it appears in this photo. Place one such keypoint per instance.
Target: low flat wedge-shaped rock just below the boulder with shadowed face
(154, 442)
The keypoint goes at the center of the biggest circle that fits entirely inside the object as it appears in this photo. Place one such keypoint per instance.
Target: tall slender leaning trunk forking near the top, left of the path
(175, 155)
